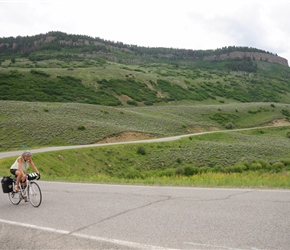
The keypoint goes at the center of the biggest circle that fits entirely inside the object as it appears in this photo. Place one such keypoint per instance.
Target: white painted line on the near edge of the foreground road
(84, 236)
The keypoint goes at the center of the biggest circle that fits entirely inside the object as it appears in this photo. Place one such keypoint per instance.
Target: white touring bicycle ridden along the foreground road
(31, 192)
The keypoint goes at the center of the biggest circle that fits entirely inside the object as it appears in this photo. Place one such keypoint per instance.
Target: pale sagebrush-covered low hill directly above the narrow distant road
(38, 124)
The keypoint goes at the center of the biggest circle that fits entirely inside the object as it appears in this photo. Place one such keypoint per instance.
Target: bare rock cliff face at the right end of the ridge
(253, 55)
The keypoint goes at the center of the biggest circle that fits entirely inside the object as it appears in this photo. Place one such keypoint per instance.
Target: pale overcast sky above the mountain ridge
(189, 24)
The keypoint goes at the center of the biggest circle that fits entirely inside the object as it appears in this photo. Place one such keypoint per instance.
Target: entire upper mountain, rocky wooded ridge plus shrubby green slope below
(56, 67)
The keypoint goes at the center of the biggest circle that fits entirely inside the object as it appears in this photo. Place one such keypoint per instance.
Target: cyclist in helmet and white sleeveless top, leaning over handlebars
(20, 166)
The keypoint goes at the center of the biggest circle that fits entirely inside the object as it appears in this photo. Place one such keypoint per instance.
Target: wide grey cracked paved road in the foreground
(94, 216)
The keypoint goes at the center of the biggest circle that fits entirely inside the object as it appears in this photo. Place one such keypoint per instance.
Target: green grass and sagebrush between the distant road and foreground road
(223, 159)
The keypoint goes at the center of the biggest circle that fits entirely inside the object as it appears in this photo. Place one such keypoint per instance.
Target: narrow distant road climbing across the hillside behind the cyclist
(171, 138)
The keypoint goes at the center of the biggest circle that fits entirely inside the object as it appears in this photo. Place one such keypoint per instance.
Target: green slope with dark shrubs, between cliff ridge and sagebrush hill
(114, 84)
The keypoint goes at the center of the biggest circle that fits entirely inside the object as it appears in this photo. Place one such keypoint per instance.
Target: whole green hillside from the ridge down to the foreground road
(64, 92)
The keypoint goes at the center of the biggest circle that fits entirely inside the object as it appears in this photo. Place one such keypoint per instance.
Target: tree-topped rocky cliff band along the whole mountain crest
(57, 40)
